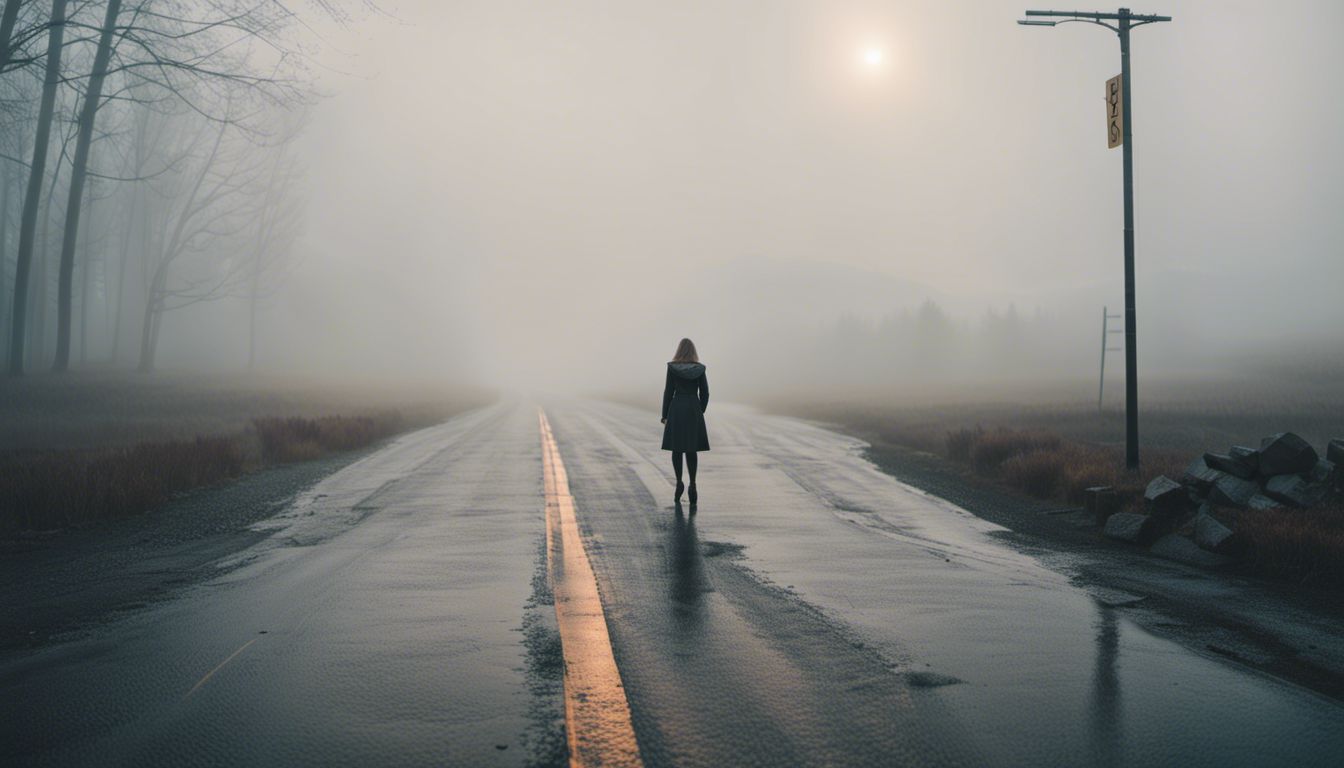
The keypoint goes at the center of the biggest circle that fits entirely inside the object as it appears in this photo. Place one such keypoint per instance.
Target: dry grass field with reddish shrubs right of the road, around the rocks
(1052, 445)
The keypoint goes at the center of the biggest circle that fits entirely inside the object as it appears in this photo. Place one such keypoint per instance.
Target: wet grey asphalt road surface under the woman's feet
(814, 611)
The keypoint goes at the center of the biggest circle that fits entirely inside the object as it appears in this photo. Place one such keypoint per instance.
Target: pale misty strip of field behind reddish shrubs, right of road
(1186, 415)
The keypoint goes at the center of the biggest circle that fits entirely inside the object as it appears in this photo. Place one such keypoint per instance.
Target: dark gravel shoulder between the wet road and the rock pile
(1279, 630)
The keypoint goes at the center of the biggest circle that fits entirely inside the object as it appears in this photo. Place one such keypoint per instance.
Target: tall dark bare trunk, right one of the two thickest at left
(79, 170)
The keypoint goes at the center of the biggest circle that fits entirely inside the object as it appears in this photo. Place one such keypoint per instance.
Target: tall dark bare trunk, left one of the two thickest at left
(29, 224)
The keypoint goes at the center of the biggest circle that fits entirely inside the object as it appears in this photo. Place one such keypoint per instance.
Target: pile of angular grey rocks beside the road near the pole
(1195, 519)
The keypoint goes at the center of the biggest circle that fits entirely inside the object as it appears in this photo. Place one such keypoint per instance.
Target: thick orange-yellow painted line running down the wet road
(597, 716)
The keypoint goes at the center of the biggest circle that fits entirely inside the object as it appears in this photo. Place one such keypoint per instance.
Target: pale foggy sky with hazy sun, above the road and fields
(821, 194)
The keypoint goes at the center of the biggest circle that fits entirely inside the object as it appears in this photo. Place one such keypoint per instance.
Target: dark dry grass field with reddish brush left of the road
(85, 449)
